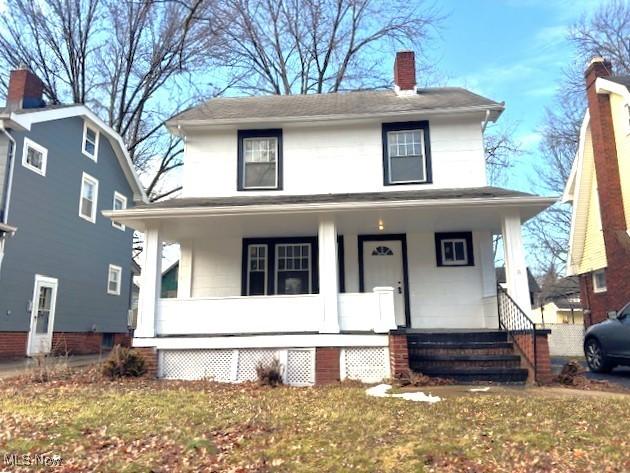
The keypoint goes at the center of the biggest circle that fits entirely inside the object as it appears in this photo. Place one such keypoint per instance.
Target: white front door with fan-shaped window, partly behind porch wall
(383, 267)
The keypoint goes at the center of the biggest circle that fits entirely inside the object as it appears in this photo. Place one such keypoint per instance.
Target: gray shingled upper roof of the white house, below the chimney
(339, 104)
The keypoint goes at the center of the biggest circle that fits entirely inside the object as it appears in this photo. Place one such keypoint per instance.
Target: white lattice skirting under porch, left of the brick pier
(233, 365)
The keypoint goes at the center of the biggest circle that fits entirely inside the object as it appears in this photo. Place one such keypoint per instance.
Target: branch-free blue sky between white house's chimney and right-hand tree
(513, 51)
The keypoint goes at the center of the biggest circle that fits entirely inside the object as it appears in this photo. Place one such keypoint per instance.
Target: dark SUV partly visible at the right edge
(607, 344)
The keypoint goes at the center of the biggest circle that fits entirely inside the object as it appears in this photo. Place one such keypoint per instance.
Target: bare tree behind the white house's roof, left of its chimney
(316, 46)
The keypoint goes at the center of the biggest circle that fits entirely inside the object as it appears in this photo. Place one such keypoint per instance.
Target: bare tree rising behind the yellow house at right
(605, 33)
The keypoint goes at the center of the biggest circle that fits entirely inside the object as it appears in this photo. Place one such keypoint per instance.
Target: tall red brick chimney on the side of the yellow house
(605, 157)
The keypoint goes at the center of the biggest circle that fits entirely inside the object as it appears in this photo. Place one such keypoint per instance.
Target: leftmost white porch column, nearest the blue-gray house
(151, 282)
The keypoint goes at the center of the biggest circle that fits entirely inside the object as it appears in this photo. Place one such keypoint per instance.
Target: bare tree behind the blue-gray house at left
(132, 61)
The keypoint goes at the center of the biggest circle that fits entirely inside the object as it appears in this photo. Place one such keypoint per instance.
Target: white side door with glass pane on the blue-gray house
(42, 315)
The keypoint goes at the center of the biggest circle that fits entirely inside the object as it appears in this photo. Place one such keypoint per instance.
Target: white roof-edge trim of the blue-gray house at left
(25, 118)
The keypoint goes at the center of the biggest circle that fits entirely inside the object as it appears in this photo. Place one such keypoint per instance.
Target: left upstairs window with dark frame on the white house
(259, 159)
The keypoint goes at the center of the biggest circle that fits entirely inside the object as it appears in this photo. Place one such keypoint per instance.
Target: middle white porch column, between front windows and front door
(328, 283)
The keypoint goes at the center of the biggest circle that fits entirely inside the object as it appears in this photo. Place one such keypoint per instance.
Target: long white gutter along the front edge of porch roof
(150, 213)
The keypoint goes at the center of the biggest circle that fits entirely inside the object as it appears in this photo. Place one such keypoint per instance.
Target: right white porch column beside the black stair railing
(515, 266)
